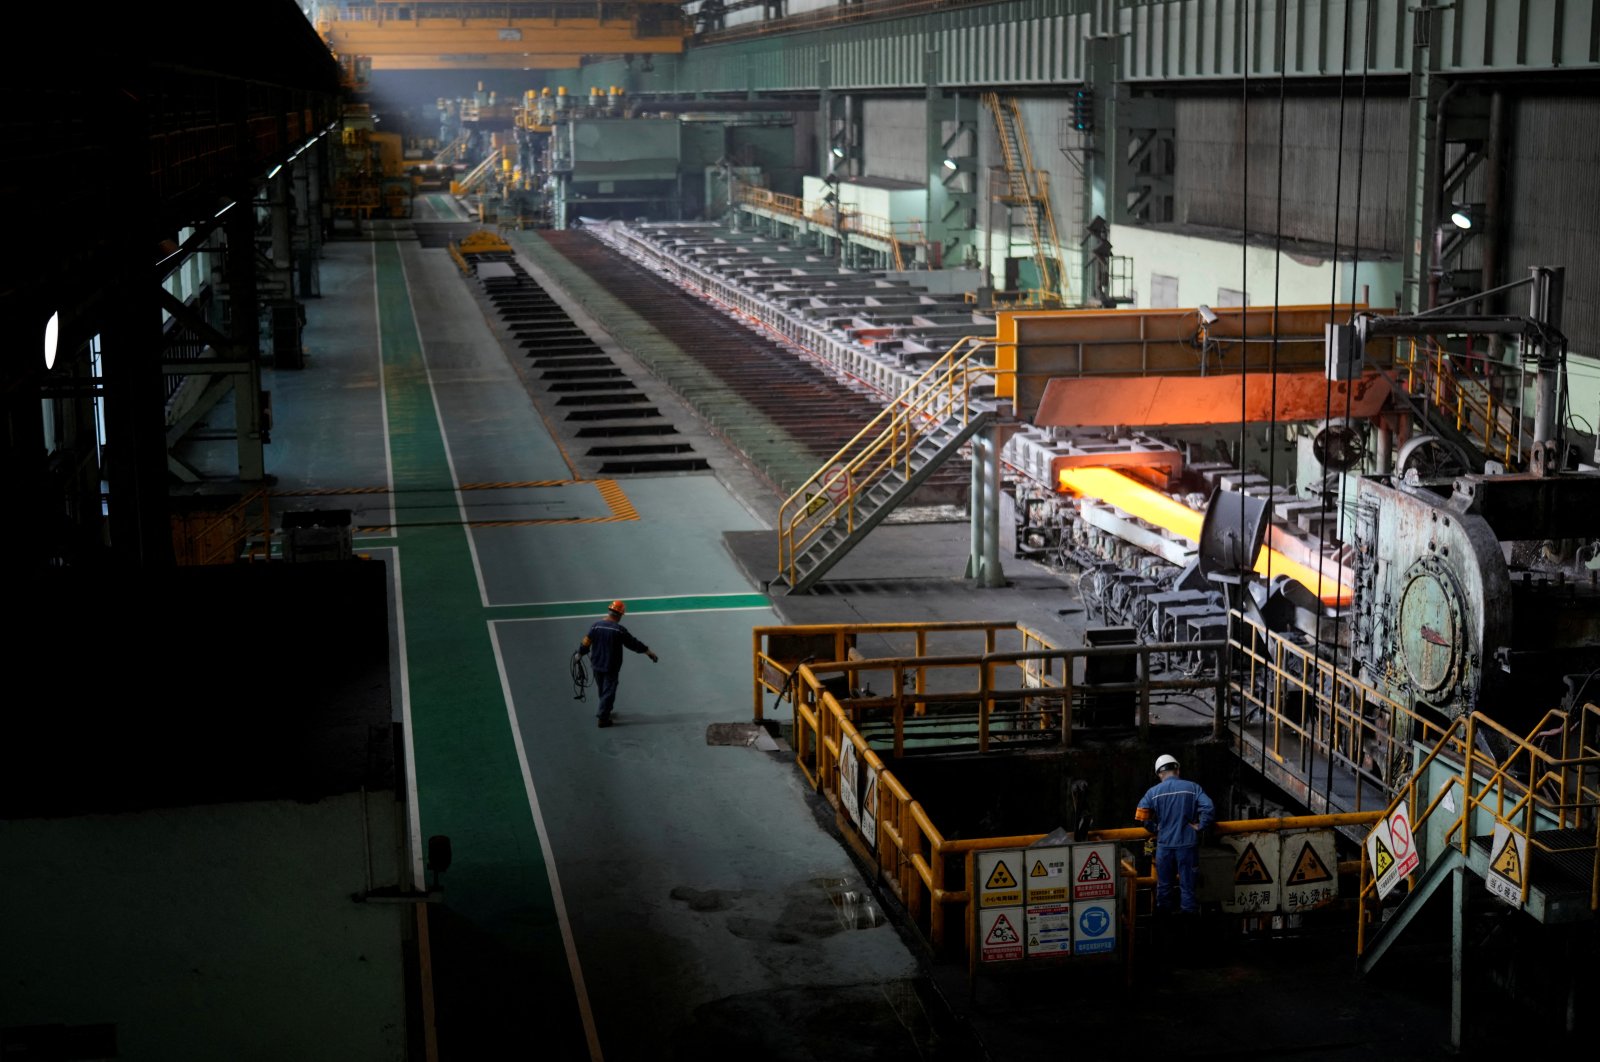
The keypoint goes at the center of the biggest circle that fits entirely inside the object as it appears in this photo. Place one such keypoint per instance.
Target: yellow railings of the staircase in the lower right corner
(1527, 788)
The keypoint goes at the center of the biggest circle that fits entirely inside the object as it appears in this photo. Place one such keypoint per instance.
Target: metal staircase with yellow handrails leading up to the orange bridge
(881, 468)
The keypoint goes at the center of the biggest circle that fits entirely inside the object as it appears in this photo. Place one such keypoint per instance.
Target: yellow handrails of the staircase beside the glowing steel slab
(884, 447)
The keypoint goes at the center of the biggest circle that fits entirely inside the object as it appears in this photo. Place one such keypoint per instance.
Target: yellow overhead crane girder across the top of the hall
(527, 36)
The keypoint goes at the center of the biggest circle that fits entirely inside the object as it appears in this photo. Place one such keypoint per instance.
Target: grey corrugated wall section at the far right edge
(1554, 218)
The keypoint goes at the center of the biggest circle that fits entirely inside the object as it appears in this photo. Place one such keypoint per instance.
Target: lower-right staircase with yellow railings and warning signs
(1526, 821)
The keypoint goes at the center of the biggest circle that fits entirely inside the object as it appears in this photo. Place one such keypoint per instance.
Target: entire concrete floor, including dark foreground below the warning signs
(642, 895)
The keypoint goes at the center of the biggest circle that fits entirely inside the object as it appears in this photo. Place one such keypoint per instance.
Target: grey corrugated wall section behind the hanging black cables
(1212, 172)
